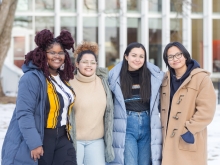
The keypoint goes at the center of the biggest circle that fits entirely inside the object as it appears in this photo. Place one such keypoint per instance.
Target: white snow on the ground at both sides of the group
(6, 111)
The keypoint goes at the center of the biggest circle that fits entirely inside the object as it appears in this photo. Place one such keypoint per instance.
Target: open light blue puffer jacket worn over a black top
(120, 117)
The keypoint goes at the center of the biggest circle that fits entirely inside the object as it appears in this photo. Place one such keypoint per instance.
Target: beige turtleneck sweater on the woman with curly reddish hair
(89, 106)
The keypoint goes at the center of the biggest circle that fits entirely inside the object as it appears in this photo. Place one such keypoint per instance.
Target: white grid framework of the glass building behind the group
(143, 35)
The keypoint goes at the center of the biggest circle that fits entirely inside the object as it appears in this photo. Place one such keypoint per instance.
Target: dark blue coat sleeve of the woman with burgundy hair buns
(28, 92)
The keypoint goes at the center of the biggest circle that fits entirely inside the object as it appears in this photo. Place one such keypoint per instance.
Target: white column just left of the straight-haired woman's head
(123, 28)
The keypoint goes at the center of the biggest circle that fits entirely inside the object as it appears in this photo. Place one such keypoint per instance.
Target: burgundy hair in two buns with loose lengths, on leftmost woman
(45, 40)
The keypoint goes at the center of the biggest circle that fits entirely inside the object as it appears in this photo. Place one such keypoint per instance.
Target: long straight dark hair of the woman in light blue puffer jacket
(144, 75)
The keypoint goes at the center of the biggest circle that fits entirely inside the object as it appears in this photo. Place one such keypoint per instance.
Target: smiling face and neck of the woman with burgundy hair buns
(55, 58)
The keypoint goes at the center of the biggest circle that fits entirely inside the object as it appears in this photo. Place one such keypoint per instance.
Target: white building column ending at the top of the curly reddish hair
(79, 17)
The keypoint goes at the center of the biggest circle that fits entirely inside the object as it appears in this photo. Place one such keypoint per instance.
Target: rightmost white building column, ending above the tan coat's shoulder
(207, 35)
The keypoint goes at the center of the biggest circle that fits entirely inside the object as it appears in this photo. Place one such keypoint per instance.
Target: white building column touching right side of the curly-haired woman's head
(101, 32)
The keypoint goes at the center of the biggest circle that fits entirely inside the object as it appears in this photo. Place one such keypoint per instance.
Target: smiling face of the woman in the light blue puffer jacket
(135, 59)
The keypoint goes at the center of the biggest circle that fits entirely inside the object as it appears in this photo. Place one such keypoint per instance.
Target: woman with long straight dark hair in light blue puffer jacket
(137, 135)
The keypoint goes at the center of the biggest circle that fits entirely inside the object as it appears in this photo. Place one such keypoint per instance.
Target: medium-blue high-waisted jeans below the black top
(138, 139)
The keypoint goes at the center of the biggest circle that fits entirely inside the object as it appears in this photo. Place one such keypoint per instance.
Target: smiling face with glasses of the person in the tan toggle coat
(176, 63)
